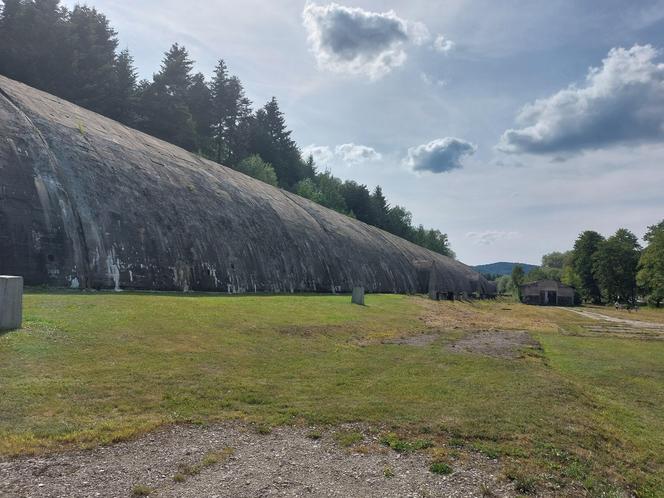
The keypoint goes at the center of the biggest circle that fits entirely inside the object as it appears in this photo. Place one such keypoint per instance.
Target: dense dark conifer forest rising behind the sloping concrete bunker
(74, 54)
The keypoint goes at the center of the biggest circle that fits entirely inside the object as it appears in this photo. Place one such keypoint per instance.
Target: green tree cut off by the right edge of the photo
(650, 277)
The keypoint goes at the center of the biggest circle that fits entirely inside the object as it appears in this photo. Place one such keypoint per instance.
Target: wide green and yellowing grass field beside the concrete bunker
(583, 414)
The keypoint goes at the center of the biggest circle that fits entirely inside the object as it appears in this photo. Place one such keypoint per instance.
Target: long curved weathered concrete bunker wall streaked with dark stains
(88, 202)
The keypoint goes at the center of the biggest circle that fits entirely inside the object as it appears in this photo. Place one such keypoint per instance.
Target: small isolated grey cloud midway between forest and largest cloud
(438, 156)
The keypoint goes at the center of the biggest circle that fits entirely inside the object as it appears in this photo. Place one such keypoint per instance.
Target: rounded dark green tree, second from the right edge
(615, 265)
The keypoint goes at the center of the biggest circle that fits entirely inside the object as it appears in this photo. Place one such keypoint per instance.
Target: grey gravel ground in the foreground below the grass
(285, 462)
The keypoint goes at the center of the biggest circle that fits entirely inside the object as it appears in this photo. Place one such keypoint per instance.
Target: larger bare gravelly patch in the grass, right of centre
(496, 343)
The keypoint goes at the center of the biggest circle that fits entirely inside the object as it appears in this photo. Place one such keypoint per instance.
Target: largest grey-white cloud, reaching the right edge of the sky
(621, 102)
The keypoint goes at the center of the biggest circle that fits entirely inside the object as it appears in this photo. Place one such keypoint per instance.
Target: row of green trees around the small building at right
(604, 269)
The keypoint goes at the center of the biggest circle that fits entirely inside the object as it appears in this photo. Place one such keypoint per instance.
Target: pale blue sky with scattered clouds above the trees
(510, 125)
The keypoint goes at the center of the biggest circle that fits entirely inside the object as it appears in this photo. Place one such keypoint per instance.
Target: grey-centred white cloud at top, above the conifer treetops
(355, 41)
